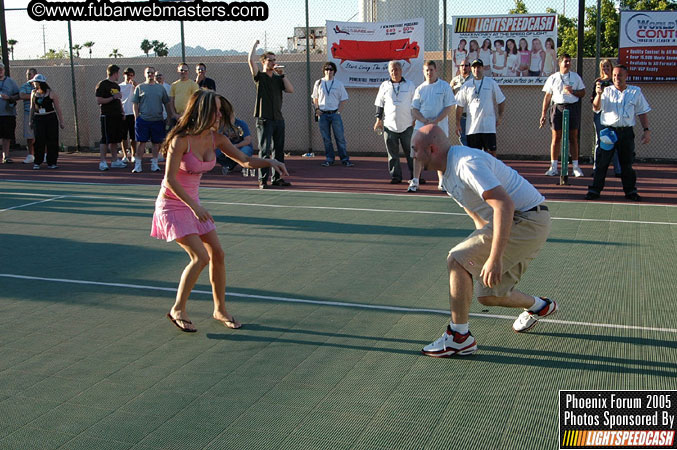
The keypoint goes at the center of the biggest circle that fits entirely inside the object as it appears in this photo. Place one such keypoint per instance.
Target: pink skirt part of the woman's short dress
(172, 220)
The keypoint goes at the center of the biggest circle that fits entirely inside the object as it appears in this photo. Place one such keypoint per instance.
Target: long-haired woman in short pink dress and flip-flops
(189, 149)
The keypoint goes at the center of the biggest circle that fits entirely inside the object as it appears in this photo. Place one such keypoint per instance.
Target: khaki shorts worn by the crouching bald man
(529, 232)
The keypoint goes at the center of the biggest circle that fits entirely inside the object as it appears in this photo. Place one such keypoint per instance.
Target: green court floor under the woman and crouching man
(362, 363)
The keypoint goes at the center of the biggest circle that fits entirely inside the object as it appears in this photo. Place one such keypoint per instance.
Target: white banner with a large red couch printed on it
(362, 50)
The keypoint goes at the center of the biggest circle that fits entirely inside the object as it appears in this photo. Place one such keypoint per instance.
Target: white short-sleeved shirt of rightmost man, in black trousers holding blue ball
(620, 108)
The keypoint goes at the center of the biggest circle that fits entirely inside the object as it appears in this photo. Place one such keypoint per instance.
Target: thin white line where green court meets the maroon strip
(302, 191)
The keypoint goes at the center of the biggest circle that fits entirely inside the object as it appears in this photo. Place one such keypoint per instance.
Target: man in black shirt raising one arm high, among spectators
(270, 83)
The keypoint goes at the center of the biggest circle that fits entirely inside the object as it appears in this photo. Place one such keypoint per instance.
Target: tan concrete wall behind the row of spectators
(518, 136)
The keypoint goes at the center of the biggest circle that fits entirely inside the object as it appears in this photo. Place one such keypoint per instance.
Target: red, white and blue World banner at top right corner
(648, 45)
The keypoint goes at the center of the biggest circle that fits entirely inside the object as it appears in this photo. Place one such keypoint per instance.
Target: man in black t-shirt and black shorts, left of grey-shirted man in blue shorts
(108, 96)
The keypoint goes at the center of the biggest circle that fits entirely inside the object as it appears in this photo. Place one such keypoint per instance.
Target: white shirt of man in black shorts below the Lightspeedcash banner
(478, 98)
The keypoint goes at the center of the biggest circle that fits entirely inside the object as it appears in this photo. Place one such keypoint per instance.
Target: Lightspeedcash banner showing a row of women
(515, 49)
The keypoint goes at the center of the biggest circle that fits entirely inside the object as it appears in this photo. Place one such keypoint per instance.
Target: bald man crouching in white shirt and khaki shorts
(511, 225)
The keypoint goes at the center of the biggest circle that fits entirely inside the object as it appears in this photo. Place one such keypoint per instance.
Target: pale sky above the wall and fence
(284, 15)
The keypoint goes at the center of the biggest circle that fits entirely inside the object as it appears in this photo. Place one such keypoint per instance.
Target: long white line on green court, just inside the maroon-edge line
(335, 208)
